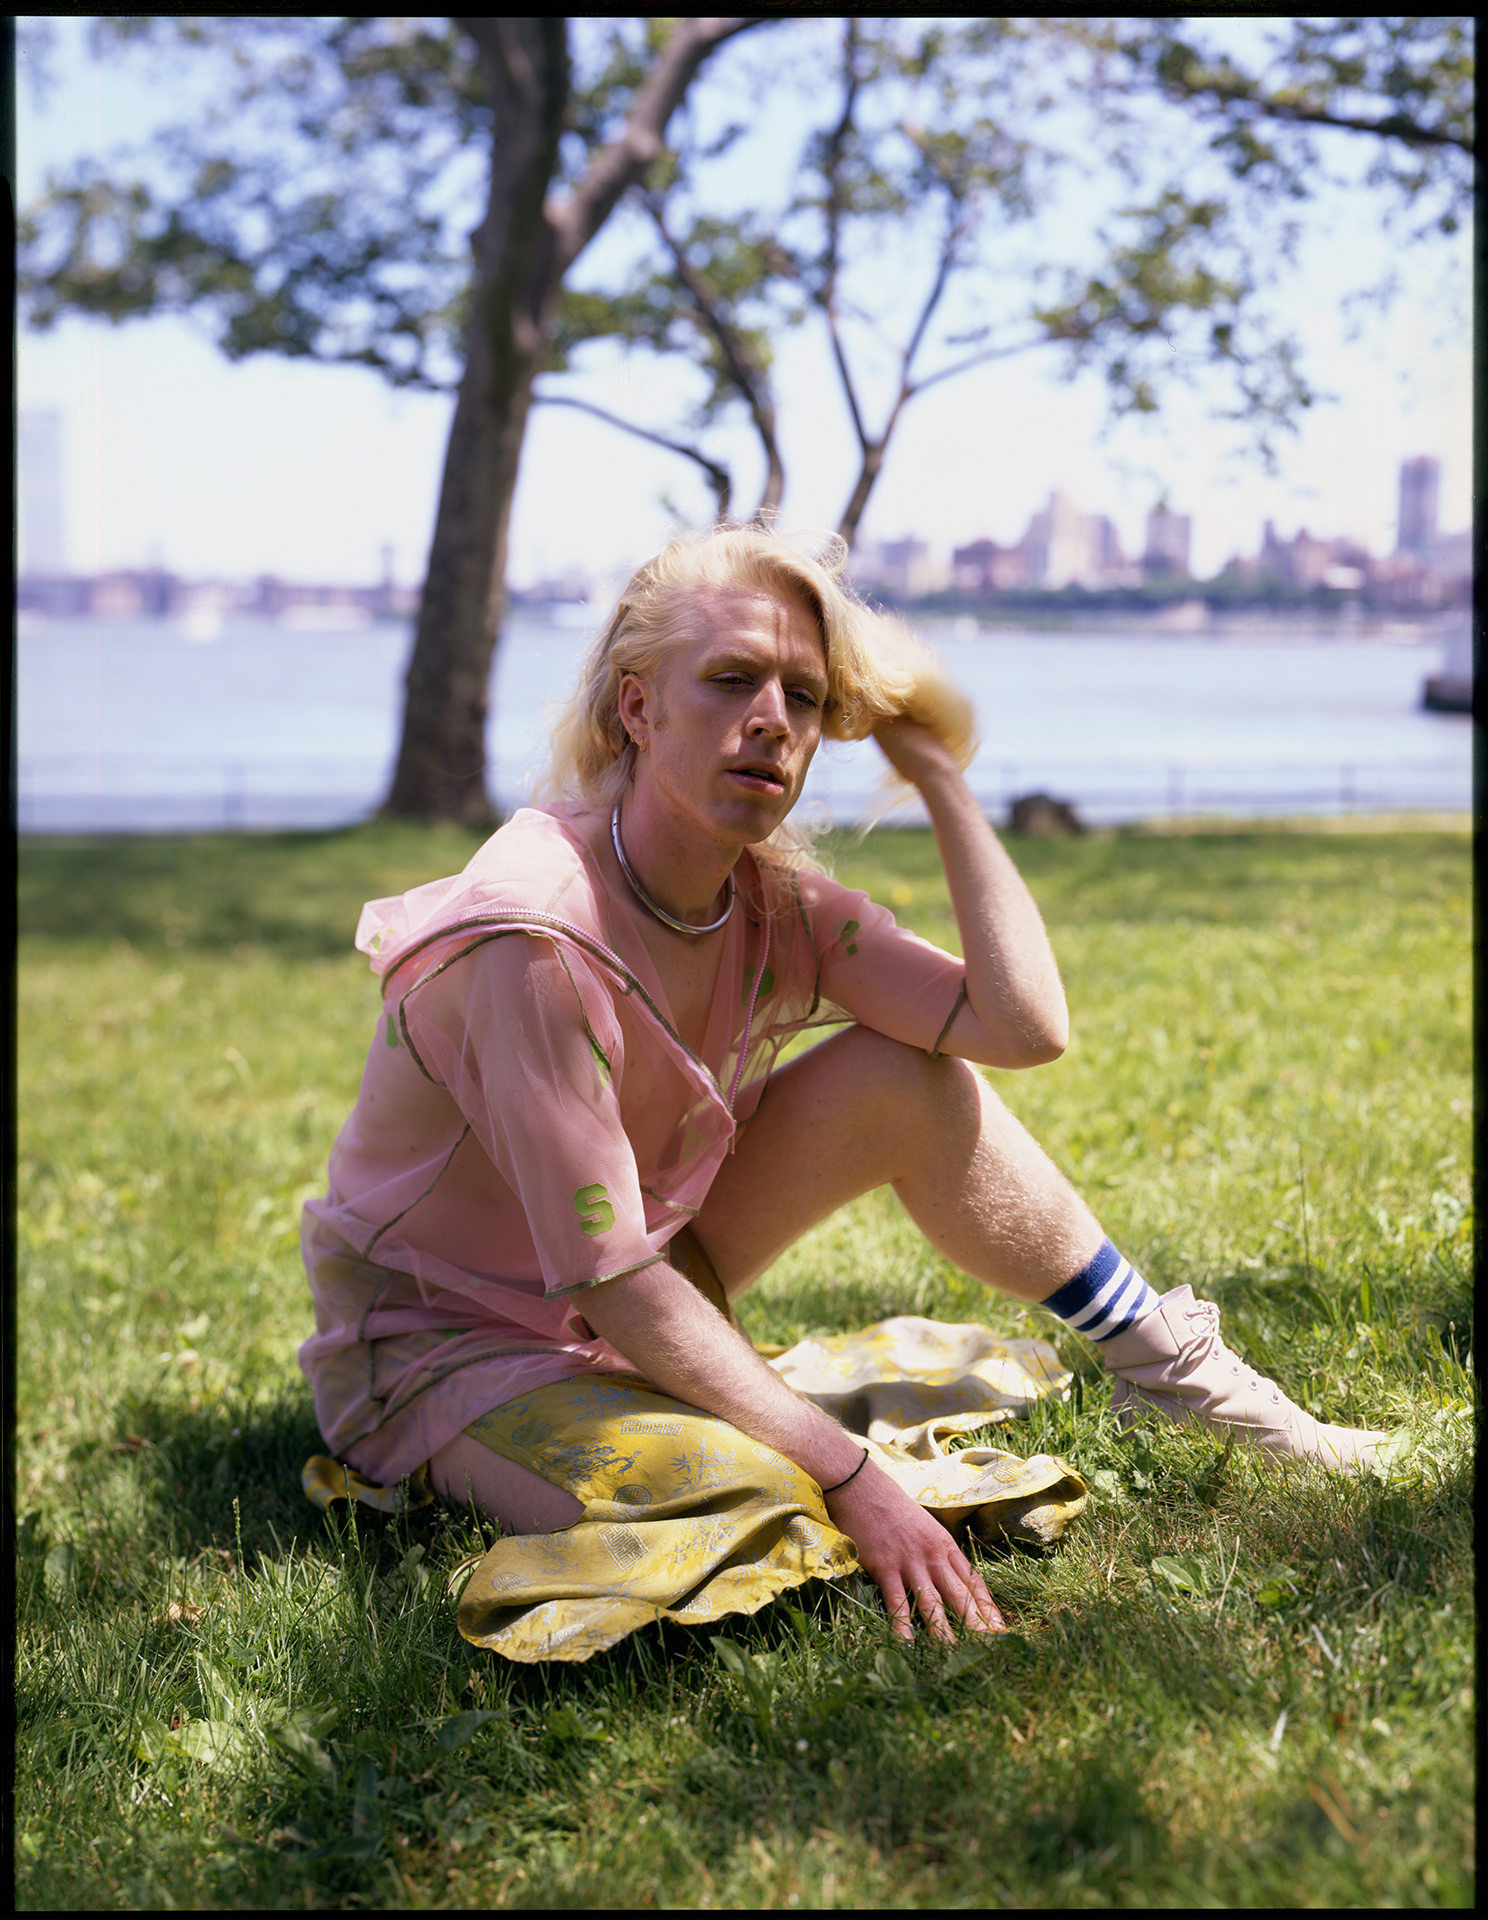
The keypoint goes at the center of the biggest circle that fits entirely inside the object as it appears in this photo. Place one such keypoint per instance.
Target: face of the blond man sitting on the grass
(734, 717)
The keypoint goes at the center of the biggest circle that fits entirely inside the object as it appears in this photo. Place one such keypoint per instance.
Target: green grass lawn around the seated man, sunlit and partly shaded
(1228, 1689)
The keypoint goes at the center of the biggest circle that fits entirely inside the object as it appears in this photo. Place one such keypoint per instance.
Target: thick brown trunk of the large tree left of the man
(443, 757)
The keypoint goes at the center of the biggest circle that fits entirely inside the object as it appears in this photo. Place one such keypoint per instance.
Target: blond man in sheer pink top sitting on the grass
(571, 1099)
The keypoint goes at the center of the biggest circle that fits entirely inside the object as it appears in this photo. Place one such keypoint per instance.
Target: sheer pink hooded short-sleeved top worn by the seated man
(531, 1124)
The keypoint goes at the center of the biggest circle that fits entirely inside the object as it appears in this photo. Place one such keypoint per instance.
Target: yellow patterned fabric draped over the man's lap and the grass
(690, 1520)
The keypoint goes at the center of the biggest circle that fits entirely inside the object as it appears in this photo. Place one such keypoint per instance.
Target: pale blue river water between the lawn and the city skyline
(151, 729)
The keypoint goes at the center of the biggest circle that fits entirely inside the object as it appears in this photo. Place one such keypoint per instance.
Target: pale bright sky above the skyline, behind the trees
(176, 456)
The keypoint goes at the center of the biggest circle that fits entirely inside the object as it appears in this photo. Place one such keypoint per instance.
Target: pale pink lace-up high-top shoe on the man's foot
(1174, 1364)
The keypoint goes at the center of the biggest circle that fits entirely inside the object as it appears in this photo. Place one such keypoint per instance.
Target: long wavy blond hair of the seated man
(876, 667)
